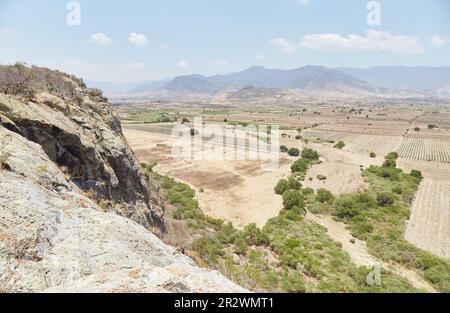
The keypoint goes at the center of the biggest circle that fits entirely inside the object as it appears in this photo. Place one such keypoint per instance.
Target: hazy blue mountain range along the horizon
(387, 80)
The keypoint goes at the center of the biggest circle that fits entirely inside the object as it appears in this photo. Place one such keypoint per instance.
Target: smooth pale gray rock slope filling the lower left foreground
(55, 239)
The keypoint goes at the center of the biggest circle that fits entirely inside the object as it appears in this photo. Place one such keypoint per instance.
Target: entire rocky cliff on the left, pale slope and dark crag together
(75, 210)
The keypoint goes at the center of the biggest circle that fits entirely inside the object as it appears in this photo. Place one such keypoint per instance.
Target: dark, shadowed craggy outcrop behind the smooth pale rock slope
(78, 131)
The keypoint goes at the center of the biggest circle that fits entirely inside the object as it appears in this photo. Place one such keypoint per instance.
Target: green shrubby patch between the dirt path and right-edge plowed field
(379, 216)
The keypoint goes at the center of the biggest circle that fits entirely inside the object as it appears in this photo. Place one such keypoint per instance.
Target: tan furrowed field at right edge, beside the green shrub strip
(429, 225)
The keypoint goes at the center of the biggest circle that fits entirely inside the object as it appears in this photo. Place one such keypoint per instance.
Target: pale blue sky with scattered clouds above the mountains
(137, 40)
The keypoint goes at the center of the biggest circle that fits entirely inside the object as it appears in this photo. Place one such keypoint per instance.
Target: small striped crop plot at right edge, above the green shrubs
(425, 150)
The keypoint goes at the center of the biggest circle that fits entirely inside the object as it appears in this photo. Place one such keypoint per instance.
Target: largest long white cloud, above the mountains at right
(373, 41)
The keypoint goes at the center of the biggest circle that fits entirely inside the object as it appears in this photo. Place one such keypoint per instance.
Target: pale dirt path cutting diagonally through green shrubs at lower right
(359, 254)
